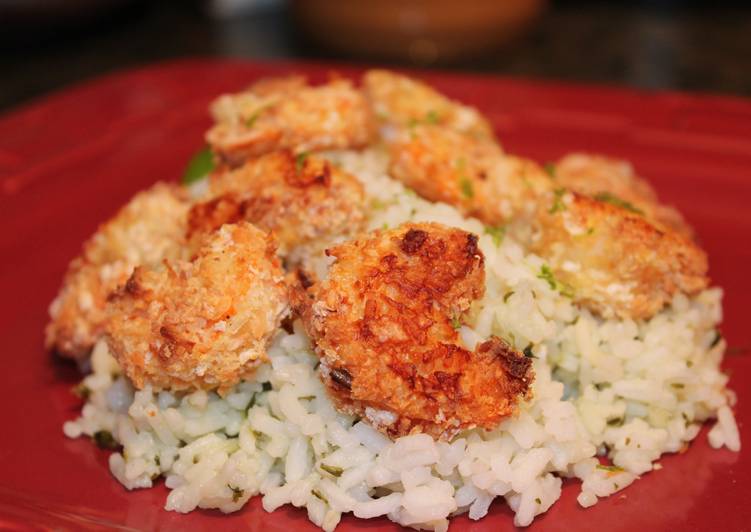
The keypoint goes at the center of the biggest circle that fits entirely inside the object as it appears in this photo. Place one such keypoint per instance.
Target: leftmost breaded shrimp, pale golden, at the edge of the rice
(151, 227)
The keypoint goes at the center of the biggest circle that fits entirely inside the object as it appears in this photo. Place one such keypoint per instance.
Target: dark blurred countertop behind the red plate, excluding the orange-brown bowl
(671, 46)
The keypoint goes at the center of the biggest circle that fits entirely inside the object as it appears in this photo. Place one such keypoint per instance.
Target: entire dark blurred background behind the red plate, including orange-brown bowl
(661, 44)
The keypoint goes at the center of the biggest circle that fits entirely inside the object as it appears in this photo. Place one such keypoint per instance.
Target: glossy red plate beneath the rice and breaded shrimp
(67, 162)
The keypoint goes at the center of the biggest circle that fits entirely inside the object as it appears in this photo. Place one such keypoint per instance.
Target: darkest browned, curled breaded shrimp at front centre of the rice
(385, 324)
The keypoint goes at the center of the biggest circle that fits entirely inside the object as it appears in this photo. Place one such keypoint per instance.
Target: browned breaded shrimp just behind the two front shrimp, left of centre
(301, 199)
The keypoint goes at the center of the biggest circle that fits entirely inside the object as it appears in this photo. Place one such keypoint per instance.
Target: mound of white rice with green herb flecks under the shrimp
(628, 391)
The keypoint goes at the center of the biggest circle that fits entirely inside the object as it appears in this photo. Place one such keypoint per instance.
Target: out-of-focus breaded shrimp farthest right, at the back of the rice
(615, 181)
